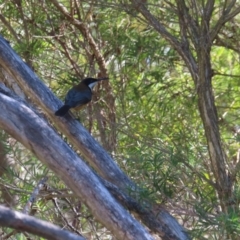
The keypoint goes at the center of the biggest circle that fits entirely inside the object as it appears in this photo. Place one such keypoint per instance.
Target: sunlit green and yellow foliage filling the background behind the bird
(148, 117)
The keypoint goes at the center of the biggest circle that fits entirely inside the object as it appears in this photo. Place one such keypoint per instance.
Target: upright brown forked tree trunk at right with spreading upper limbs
(201, 36)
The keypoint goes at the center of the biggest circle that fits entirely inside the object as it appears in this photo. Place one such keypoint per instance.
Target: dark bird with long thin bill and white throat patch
(79, 95)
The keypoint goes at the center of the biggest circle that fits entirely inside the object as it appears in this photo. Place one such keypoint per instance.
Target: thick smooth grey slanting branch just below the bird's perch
(34, 133)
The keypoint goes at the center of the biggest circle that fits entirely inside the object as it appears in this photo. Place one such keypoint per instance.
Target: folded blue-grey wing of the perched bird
(76, 98)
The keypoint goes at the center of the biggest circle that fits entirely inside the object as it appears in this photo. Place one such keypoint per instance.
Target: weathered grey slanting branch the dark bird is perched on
(72, 129)
